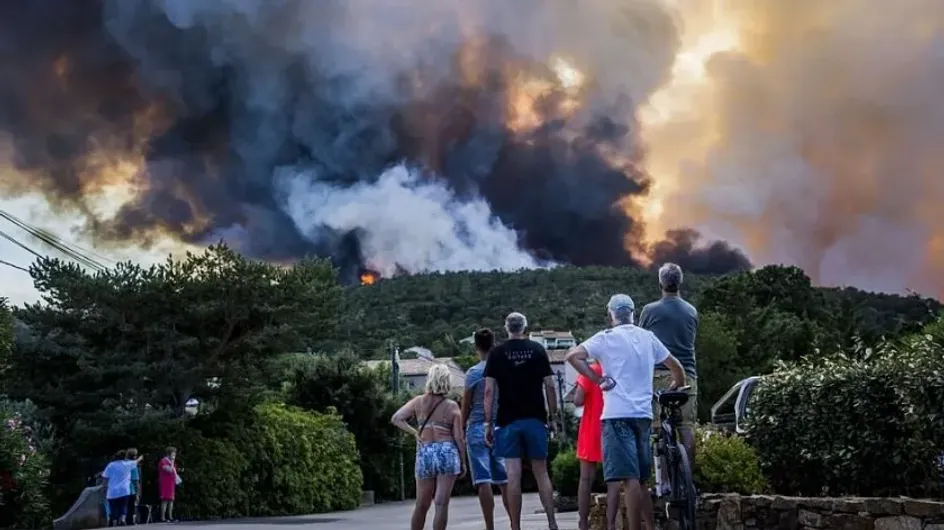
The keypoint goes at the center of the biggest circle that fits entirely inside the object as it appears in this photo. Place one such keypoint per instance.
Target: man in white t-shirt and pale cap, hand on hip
(628, 356)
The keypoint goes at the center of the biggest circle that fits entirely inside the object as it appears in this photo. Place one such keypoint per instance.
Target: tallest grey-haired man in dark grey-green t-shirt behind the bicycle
(675, 323)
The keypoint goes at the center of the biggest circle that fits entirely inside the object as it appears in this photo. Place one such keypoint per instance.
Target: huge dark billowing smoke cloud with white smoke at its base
(293, 127)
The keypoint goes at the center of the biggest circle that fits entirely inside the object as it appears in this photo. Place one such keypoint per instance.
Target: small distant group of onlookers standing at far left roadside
(122, 481)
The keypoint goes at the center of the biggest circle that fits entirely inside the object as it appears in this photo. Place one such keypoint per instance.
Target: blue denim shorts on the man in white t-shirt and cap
(627, 454)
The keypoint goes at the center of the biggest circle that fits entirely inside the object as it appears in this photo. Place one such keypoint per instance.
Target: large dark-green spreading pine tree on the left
(111, 354)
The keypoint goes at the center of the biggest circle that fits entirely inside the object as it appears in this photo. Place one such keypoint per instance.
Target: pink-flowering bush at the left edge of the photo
(23, 480)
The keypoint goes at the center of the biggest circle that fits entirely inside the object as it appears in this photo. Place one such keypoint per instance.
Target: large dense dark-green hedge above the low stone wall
(865, 423)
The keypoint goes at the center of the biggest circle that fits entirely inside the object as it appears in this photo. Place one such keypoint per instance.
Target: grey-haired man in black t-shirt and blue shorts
(519, 369)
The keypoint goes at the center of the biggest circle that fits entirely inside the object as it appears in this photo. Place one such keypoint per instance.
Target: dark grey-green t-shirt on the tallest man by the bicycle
(675, 323)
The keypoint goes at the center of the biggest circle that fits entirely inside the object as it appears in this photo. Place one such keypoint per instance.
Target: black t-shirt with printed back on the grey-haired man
(519, 367)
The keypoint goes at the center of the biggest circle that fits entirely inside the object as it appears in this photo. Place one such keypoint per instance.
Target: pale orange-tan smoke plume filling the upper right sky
(809, 132)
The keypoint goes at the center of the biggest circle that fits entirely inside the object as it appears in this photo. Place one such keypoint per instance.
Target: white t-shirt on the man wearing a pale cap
(628, 354)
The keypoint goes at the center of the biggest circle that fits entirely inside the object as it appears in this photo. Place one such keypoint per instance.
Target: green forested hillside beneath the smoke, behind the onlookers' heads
(436, 310)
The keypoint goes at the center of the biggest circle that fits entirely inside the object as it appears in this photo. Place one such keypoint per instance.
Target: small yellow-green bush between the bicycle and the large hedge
(726, 464)
